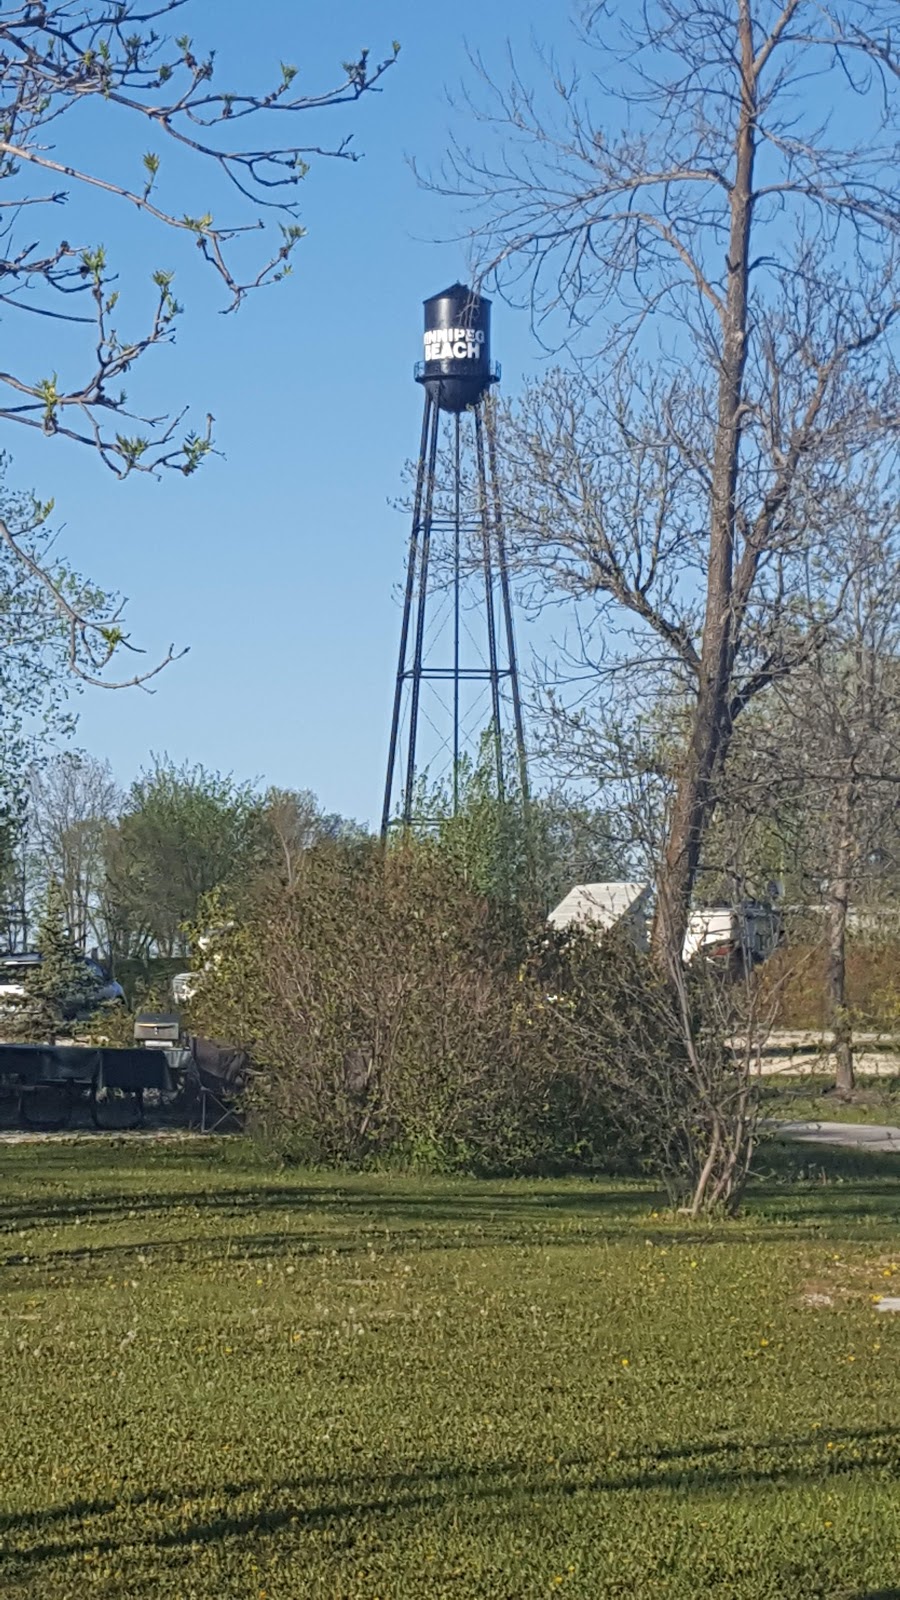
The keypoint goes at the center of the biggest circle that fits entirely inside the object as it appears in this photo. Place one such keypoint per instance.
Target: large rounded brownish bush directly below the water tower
(396, 1015)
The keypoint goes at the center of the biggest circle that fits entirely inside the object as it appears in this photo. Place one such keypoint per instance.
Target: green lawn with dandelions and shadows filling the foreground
(225, 1382)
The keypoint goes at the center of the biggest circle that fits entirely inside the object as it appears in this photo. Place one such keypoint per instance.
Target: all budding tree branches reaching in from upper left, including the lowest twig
(87, 326)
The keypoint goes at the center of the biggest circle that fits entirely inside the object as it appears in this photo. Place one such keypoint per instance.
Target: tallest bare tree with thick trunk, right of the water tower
(723, 263)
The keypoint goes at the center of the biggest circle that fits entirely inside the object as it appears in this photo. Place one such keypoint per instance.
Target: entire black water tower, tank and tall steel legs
(457, 633)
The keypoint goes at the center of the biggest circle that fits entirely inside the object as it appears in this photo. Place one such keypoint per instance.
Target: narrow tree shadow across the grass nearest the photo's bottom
(451, 1487)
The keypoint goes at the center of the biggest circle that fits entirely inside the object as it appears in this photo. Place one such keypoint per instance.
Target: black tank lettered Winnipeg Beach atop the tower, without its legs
(457, 366)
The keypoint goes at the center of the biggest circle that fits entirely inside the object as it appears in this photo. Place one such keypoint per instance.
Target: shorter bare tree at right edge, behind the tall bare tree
(810, 794)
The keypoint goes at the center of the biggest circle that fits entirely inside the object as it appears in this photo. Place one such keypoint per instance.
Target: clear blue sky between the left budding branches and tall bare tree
(278, 566)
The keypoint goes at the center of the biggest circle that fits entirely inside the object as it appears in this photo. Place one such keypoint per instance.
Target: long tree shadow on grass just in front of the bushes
(798, 1194)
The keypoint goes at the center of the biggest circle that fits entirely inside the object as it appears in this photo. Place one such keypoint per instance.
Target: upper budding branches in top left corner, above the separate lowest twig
(55, 58)
